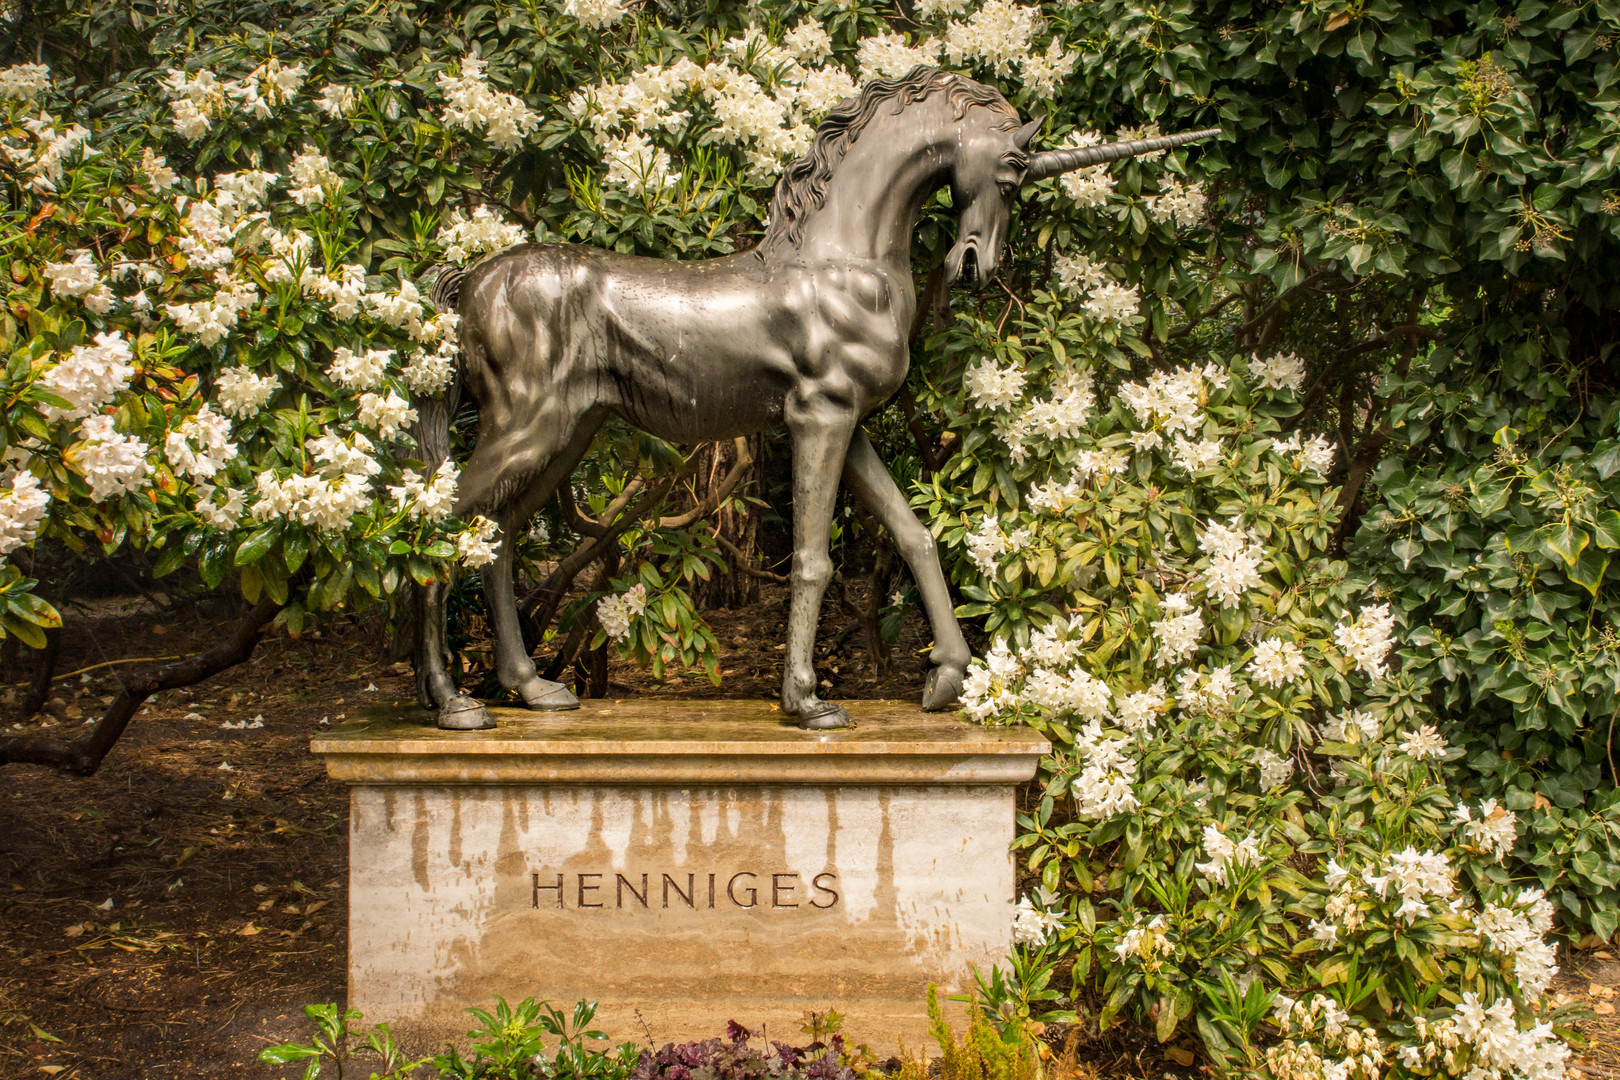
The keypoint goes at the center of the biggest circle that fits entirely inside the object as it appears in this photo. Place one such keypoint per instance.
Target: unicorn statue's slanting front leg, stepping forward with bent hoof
(871, 482)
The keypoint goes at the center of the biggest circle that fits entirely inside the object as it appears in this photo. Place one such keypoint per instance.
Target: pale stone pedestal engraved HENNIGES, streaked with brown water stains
(686, 864)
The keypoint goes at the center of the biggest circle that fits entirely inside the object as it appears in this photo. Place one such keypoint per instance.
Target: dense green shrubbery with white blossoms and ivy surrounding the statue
(1151, 451)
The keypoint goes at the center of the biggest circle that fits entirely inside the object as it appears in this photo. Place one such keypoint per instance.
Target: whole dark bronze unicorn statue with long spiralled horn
(809, 330)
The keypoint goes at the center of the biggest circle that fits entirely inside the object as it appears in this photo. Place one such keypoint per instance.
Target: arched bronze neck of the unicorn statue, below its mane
(879, 189)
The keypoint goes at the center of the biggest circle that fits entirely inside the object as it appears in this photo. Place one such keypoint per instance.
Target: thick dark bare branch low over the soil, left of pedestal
(83, 755)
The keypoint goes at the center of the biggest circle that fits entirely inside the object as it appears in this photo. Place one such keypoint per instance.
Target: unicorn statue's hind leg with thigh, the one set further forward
(532, 467)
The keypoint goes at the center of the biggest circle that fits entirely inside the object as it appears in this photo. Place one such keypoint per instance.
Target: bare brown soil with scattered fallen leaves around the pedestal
(171, 916)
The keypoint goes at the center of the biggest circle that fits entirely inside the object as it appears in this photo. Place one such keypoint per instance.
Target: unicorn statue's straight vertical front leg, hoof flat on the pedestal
(821, 433)
